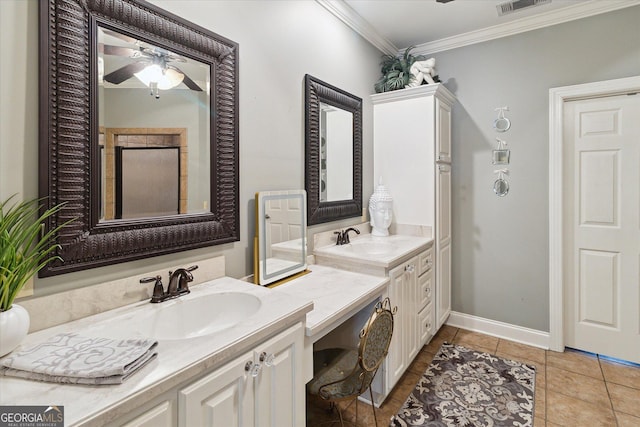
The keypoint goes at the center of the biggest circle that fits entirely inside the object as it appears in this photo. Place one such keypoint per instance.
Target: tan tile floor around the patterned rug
(573, 389)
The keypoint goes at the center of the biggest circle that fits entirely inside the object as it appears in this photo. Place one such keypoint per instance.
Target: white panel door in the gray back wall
(602, 226)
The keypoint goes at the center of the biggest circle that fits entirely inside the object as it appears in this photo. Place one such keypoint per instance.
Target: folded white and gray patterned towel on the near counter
(73, 358)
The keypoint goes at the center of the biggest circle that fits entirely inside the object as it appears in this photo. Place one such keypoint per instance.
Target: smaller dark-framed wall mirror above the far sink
(333, 152)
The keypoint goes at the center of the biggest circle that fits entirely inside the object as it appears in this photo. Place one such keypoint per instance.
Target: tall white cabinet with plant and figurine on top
(412, 156)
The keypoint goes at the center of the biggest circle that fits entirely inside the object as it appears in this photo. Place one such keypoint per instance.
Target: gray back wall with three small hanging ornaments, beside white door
(500, 245)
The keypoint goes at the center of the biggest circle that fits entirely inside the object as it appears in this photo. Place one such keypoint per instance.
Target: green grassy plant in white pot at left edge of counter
(24, 250)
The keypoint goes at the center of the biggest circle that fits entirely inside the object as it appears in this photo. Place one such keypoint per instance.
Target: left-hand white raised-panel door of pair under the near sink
(224, 398)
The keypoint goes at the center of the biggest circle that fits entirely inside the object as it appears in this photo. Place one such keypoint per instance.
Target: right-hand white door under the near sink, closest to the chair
(280, 388)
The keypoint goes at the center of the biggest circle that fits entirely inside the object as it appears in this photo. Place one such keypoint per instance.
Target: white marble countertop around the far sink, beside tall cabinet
(368, 250)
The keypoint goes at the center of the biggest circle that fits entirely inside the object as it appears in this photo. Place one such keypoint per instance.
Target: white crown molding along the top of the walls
(570, 13)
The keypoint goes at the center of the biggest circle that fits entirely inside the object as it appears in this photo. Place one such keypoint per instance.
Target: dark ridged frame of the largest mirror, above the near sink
(69, 154)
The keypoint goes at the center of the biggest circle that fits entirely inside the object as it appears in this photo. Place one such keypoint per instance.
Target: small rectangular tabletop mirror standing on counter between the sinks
(280, 246)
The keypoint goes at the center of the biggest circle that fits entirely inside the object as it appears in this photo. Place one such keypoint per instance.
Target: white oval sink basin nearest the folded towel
(181, 318)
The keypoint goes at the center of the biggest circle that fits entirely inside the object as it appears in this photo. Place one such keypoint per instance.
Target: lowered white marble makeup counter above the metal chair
(336, 294)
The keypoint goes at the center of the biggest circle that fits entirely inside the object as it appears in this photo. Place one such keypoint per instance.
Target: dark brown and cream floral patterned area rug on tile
(464, 387)
